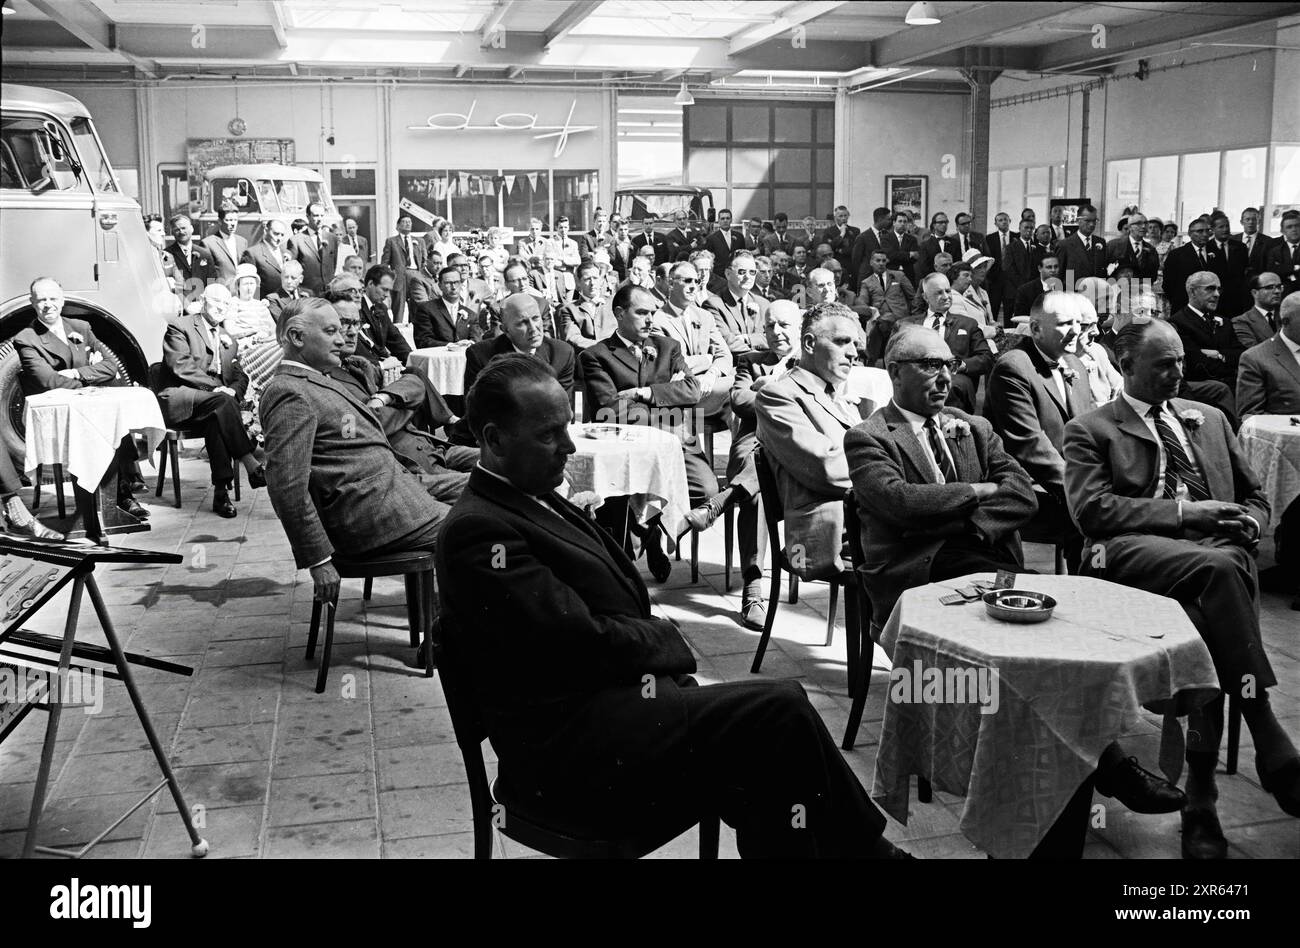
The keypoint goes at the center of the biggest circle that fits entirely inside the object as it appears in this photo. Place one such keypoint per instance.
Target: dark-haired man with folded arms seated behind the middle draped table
(639, 378)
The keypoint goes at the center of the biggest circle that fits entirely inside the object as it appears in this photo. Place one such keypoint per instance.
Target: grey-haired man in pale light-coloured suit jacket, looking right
(803, 418)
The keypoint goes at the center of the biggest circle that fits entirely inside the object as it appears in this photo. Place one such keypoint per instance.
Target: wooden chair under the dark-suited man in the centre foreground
(543, 826)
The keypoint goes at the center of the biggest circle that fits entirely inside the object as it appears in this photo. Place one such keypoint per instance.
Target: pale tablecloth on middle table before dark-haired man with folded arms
(643, 464)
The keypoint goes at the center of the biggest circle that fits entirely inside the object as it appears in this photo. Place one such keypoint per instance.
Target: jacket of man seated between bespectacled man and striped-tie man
(1025, 408)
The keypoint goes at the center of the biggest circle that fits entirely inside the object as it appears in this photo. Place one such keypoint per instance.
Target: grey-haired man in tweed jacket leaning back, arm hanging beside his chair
(332, 474)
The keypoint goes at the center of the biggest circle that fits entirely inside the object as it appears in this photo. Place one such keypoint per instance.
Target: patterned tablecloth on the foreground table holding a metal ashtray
(1064, 691)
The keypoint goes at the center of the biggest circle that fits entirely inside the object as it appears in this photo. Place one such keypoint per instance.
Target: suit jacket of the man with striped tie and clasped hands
(1112, 465)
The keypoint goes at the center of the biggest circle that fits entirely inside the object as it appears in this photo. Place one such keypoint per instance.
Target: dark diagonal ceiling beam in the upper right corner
(1198, 23)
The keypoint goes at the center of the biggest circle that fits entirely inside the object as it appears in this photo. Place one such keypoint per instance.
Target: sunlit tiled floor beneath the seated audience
(370, 769)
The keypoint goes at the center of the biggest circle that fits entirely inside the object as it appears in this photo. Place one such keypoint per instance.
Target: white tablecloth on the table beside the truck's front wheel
(81, 428)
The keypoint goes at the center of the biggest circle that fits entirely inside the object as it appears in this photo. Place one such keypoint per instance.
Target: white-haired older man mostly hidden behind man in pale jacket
(753, 371)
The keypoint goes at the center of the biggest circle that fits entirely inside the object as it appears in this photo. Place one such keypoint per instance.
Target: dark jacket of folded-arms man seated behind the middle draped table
(610, 367)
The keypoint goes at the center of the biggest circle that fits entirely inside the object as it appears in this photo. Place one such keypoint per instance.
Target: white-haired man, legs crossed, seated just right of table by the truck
(201, 384)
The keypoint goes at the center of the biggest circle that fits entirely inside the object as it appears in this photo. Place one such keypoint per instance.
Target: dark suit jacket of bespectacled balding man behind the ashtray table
(907, 516)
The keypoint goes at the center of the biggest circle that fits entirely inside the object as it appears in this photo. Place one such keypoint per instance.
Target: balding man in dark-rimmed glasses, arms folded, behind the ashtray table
(938, 494)
